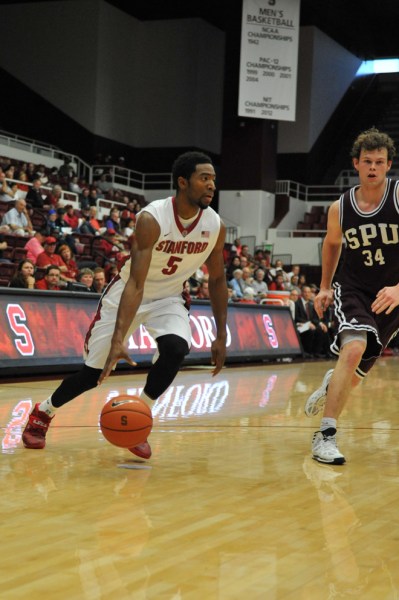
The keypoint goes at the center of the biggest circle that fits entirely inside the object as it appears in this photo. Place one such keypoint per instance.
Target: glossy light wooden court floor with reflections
(230, 506)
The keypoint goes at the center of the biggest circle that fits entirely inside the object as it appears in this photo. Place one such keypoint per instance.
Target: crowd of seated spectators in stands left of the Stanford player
(56, 232)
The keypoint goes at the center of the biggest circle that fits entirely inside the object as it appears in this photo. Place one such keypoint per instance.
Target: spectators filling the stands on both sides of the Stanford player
(57, 255)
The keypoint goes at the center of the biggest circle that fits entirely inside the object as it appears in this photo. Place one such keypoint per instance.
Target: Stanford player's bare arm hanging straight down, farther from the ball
(218, 296)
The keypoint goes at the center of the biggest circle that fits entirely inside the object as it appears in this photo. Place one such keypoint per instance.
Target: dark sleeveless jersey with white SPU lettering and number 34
(371, 257)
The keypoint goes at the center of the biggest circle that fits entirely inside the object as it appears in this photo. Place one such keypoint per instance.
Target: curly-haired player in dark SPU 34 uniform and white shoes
(366, 286)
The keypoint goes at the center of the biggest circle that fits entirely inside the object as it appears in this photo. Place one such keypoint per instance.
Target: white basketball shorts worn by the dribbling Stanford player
(160, 317)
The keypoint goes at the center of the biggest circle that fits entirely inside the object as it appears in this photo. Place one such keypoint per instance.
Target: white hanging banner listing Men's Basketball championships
(269, 59)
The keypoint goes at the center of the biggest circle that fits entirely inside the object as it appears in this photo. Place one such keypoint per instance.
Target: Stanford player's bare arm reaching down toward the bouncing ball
(146, 234)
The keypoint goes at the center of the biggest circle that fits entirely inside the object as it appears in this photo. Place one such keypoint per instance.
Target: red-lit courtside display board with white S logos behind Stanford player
(44, 331)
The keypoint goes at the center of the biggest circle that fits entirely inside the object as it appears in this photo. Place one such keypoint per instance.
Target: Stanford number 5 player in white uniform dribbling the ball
(173, 238)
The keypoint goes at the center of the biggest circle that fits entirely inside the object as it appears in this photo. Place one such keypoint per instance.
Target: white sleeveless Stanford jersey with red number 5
(178, 252)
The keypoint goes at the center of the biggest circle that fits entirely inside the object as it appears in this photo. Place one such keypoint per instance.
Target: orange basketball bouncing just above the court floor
(126, 421)
